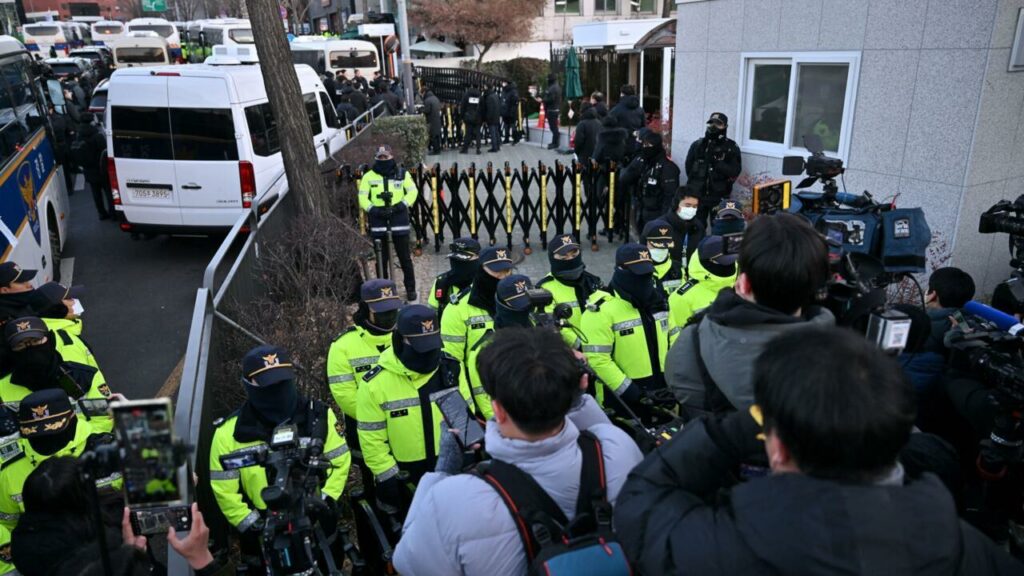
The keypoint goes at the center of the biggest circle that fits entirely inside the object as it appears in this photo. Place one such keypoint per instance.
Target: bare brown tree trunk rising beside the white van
(286, 101)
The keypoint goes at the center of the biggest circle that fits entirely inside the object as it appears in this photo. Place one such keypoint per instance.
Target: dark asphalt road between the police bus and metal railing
(140, 297)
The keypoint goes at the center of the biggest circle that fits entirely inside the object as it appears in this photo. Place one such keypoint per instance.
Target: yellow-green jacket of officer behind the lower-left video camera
(238, 491)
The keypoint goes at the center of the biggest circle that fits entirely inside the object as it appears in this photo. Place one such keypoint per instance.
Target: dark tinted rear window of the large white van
(178, 134)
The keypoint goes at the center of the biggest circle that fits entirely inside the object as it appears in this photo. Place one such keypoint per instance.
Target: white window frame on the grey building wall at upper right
(791, 145)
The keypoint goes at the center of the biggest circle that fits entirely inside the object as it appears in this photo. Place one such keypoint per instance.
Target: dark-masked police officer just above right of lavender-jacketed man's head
(570, 283)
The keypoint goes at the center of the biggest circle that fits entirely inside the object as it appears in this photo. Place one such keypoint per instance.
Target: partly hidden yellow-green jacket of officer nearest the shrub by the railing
(353, 355)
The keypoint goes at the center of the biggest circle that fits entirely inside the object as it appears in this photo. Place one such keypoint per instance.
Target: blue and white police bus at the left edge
(34, 208)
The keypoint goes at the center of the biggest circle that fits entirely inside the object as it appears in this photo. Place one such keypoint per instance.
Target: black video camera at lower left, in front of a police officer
(294, 541)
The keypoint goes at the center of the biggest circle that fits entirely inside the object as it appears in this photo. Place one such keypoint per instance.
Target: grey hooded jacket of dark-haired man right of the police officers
(733, 335)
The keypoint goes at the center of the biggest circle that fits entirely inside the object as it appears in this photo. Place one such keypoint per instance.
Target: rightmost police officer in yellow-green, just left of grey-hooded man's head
(711, 271)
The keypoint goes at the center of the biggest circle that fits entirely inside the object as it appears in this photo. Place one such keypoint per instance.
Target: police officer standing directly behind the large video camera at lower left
(272, 400)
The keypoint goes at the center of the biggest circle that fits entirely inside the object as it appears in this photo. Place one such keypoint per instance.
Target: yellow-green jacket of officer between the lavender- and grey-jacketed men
(617, 346)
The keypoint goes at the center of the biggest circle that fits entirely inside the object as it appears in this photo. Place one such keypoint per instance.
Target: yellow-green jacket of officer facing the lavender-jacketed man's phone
(391, 405)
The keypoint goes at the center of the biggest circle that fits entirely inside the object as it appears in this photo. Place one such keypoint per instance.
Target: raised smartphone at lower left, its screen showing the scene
(150, 468)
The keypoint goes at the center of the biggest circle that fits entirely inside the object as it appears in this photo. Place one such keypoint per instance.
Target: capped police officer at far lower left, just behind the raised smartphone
(50, 429)
